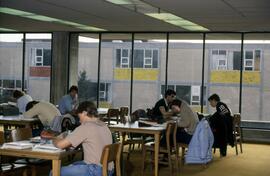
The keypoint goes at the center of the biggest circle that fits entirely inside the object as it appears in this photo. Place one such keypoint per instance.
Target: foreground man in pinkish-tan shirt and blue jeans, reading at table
(93, 134)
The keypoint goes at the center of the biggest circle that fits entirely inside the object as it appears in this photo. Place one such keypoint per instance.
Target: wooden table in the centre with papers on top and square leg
(134, 128)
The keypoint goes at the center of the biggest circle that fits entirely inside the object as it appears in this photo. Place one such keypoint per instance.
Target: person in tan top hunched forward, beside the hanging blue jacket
(186, 119)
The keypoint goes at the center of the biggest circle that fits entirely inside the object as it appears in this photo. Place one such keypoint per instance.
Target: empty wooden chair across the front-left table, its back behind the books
(20, 134)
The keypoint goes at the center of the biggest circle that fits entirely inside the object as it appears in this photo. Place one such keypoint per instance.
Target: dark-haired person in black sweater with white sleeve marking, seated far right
(221, 124)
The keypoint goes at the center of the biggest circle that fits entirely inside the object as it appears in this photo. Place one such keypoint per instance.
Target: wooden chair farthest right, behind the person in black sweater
(237, 135)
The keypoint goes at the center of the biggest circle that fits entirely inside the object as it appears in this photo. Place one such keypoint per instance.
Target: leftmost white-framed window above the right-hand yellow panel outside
(219, 59)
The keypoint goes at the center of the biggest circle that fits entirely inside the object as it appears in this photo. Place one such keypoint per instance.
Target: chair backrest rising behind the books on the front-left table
(20, 134)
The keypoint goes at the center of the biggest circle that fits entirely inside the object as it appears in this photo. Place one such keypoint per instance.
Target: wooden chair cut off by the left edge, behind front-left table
(10, 169)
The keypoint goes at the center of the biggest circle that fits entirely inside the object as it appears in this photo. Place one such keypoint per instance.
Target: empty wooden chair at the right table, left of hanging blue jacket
(169, 150)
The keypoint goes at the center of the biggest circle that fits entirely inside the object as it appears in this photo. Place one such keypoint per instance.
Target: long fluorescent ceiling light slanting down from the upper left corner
(34, 16)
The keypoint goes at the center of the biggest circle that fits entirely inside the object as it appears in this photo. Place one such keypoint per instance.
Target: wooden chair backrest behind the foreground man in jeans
(111, 153)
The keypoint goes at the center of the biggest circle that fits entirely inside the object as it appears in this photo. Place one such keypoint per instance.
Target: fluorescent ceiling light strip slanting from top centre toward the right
(154, 12)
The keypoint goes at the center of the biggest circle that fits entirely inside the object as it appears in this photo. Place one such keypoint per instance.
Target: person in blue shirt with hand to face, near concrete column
(67, 103)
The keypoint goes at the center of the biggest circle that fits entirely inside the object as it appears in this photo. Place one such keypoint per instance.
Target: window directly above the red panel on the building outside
(42, 57)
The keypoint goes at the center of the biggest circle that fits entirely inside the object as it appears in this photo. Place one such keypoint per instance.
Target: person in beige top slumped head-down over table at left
(44, 110)
